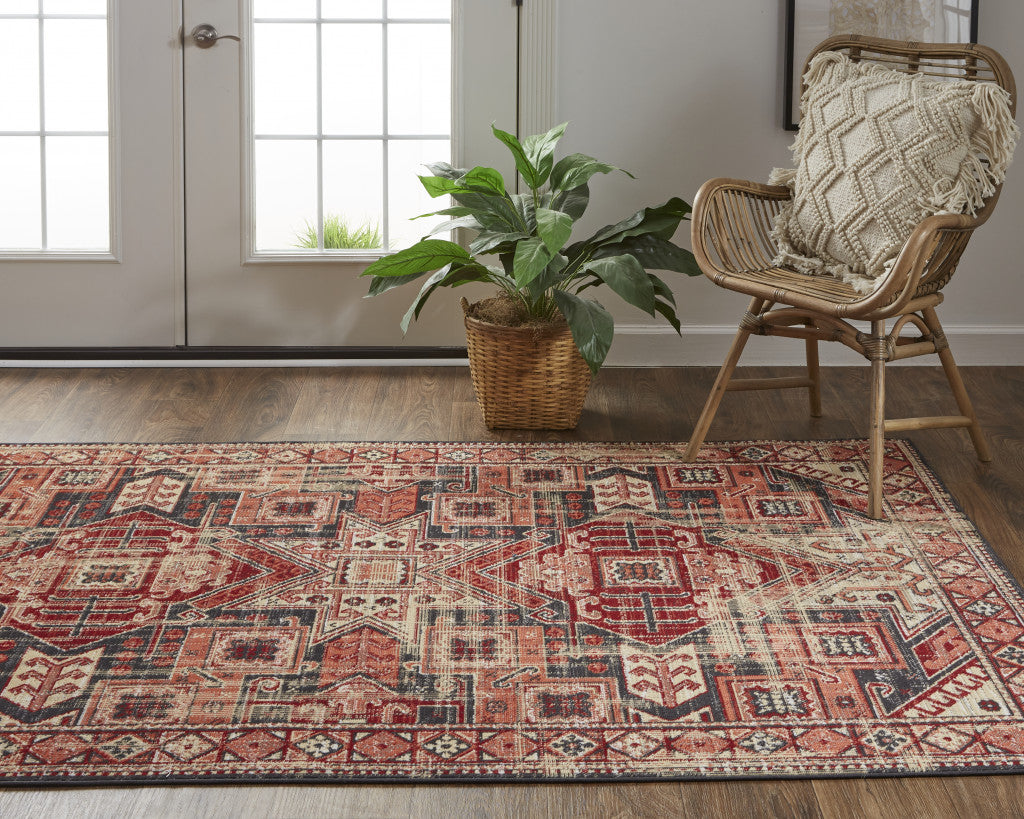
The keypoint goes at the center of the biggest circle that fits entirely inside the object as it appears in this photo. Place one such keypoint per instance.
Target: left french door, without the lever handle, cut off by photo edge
(91, 175)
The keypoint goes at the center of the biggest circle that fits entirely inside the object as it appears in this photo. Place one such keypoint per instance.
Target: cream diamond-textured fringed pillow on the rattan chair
(878, 152)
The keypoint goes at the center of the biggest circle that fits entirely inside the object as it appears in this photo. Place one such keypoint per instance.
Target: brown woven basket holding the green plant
(525, 377)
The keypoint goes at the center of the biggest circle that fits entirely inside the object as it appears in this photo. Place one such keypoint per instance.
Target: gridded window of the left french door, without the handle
(55, 125)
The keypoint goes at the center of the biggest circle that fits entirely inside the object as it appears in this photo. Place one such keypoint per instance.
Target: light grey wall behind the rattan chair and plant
(679, 92)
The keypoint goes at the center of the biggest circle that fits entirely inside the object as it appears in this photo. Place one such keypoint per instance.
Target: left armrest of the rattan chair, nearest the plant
(732, 225)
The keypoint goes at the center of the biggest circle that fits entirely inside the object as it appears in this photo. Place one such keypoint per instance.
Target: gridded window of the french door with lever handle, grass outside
(382, 108)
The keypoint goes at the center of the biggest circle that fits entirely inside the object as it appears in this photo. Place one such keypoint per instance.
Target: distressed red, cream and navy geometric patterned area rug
(495, 612)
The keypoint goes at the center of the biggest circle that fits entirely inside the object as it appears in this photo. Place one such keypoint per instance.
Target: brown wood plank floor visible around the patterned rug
(438, 404)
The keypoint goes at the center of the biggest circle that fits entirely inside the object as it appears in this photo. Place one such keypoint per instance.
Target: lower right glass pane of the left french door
(77, 193)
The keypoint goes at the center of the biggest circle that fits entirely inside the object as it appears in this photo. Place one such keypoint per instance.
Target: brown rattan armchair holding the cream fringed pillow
(732, 227)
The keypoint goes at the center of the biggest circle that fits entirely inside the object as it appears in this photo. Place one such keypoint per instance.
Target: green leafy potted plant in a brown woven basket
(534, 348)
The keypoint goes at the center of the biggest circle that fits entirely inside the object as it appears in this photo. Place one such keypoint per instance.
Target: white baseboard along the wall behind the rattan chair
(707, 346)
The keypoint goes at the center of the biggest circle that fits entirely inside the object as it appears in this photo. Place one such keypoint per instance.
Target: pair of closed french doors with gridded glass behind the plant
(241, 138)
